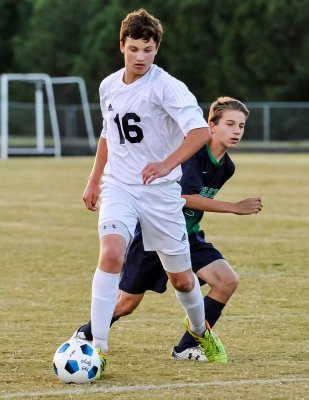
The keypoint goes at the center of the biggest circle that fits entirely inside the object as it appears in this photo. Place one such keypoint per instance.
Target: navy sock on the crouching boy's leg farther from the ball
(213, 309)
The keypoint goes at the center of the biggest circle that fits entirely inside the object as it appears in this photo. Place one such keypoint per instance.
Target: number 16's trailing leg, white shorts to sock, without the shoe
(164, 230)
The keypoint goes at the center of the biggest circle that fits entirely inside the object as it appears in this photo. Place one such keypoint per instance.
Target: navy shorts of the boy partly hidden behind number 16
(143, 269)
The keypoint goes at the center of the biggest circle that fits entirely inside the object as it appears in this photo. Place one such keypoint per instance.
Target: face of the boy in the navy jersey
(230, 128)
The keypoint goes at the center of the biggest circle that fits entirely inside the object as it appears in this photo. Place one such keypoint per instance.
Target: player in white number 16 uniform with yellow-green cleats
(151, 124)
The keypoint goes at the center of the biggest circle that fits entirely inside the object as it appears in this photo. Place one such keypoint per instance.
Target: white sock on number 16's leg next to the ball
(104, 298)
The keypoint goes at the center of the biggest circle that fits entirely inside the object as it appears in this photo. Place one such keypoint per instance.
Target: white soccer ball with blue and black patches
(76, 361)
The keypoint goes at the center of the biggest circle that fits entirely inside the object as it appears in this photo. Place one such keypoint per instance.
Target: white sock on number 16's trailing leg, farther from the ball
(193, 303)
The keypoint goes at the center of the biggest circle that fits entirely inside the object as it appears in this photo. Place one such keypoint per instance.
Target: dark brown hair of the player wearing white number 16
(141, 25)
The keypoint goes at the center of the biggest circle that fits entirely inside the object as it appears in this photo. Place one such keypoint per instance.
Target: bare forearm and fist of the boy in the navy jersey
(243, 207)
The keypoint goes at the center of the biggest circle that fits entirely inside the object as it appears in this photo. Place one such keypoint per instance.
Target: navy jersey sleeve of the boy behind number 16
(192, 175)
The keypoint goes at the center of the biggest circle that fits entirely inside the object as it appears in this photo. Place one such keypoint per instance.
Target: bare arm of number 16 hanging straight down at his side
(92, 190)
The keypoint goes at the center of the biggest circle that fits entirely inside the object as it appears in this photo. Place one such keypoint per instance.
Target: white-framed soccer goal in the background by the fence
(53, 119)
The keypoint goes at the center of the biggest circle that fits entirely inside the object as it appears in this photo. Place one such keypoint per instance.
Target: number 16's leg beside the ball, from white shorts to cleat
(117, 222)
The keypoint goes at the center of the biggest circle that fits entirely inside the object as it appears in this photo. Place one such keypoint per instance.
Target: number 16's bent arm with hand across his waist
(194, 140)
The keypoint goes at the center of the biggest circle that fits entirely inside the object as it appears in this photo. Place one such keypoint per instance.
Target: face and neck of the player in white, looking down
(138, 57)
